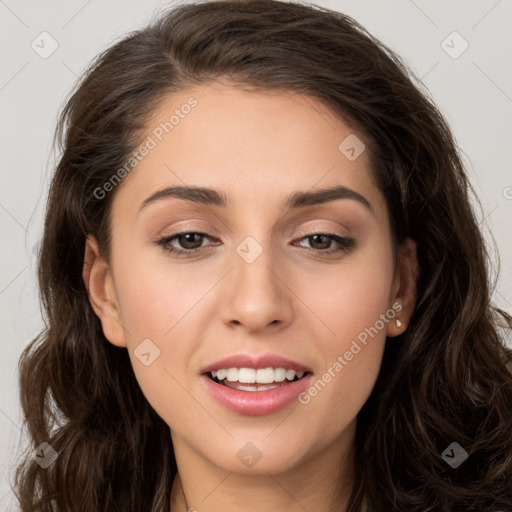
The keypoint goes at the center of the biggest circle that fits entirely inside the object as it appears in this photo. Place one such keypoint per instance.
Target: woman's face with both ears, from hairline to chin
(274, 280)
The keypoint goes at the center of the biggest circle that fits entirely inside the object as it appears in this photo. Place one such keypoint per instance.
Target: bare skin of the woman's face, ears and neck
(292, 300)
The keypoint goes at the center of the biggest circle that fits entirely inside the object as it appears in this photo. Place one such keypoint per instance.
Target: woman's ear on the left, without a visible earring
(100, 287)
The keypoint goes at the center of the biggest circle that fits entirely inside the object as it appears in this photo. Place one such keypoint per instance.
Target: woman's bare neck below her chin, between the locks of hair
(204, 487)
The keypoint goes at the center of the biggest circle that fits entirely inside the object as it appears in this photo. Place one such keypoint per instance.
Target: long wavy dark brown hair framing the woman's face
(446, 379)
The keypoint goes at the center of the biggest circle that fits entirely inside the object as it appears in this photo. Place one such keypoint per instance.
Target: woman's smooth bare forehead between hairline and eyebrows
(256, 146)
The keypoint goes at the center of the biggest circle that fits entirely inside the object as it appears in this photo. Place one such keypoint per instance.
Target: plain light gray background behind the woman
(474, 92)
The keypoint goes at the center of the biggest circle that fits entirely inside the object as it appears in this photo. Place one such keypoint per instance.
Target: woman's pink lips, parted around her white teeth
(256, 403)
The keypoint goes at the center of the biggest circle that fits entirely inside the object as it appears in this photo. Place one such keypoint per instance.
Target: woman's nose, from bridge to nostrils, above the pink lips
(258, 292)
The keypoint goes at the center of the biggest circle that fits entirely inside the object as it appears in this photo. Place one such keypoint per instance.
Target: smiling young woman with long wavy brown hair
(264, 283)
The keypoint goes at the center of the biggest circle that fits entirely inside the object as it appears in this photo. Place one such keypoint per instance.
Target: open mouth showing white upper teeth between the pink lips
(249, 379)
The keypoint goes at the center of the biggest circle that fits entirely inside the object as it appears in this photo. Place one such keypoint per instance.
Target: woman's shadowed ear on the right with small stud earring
(403, 296)
